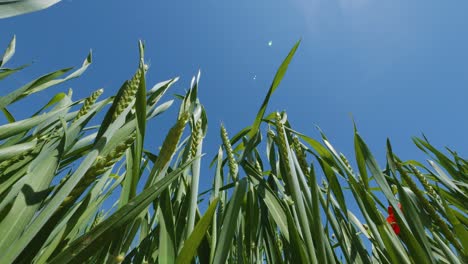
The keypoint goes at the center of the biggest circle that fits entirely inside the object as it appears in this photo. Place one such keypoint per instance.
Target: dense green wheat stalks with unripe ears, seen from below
(277, 195)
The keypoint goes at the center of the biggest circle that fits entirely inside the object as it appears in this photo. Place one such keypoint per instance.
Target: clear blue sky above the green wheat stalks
(399, 67)
